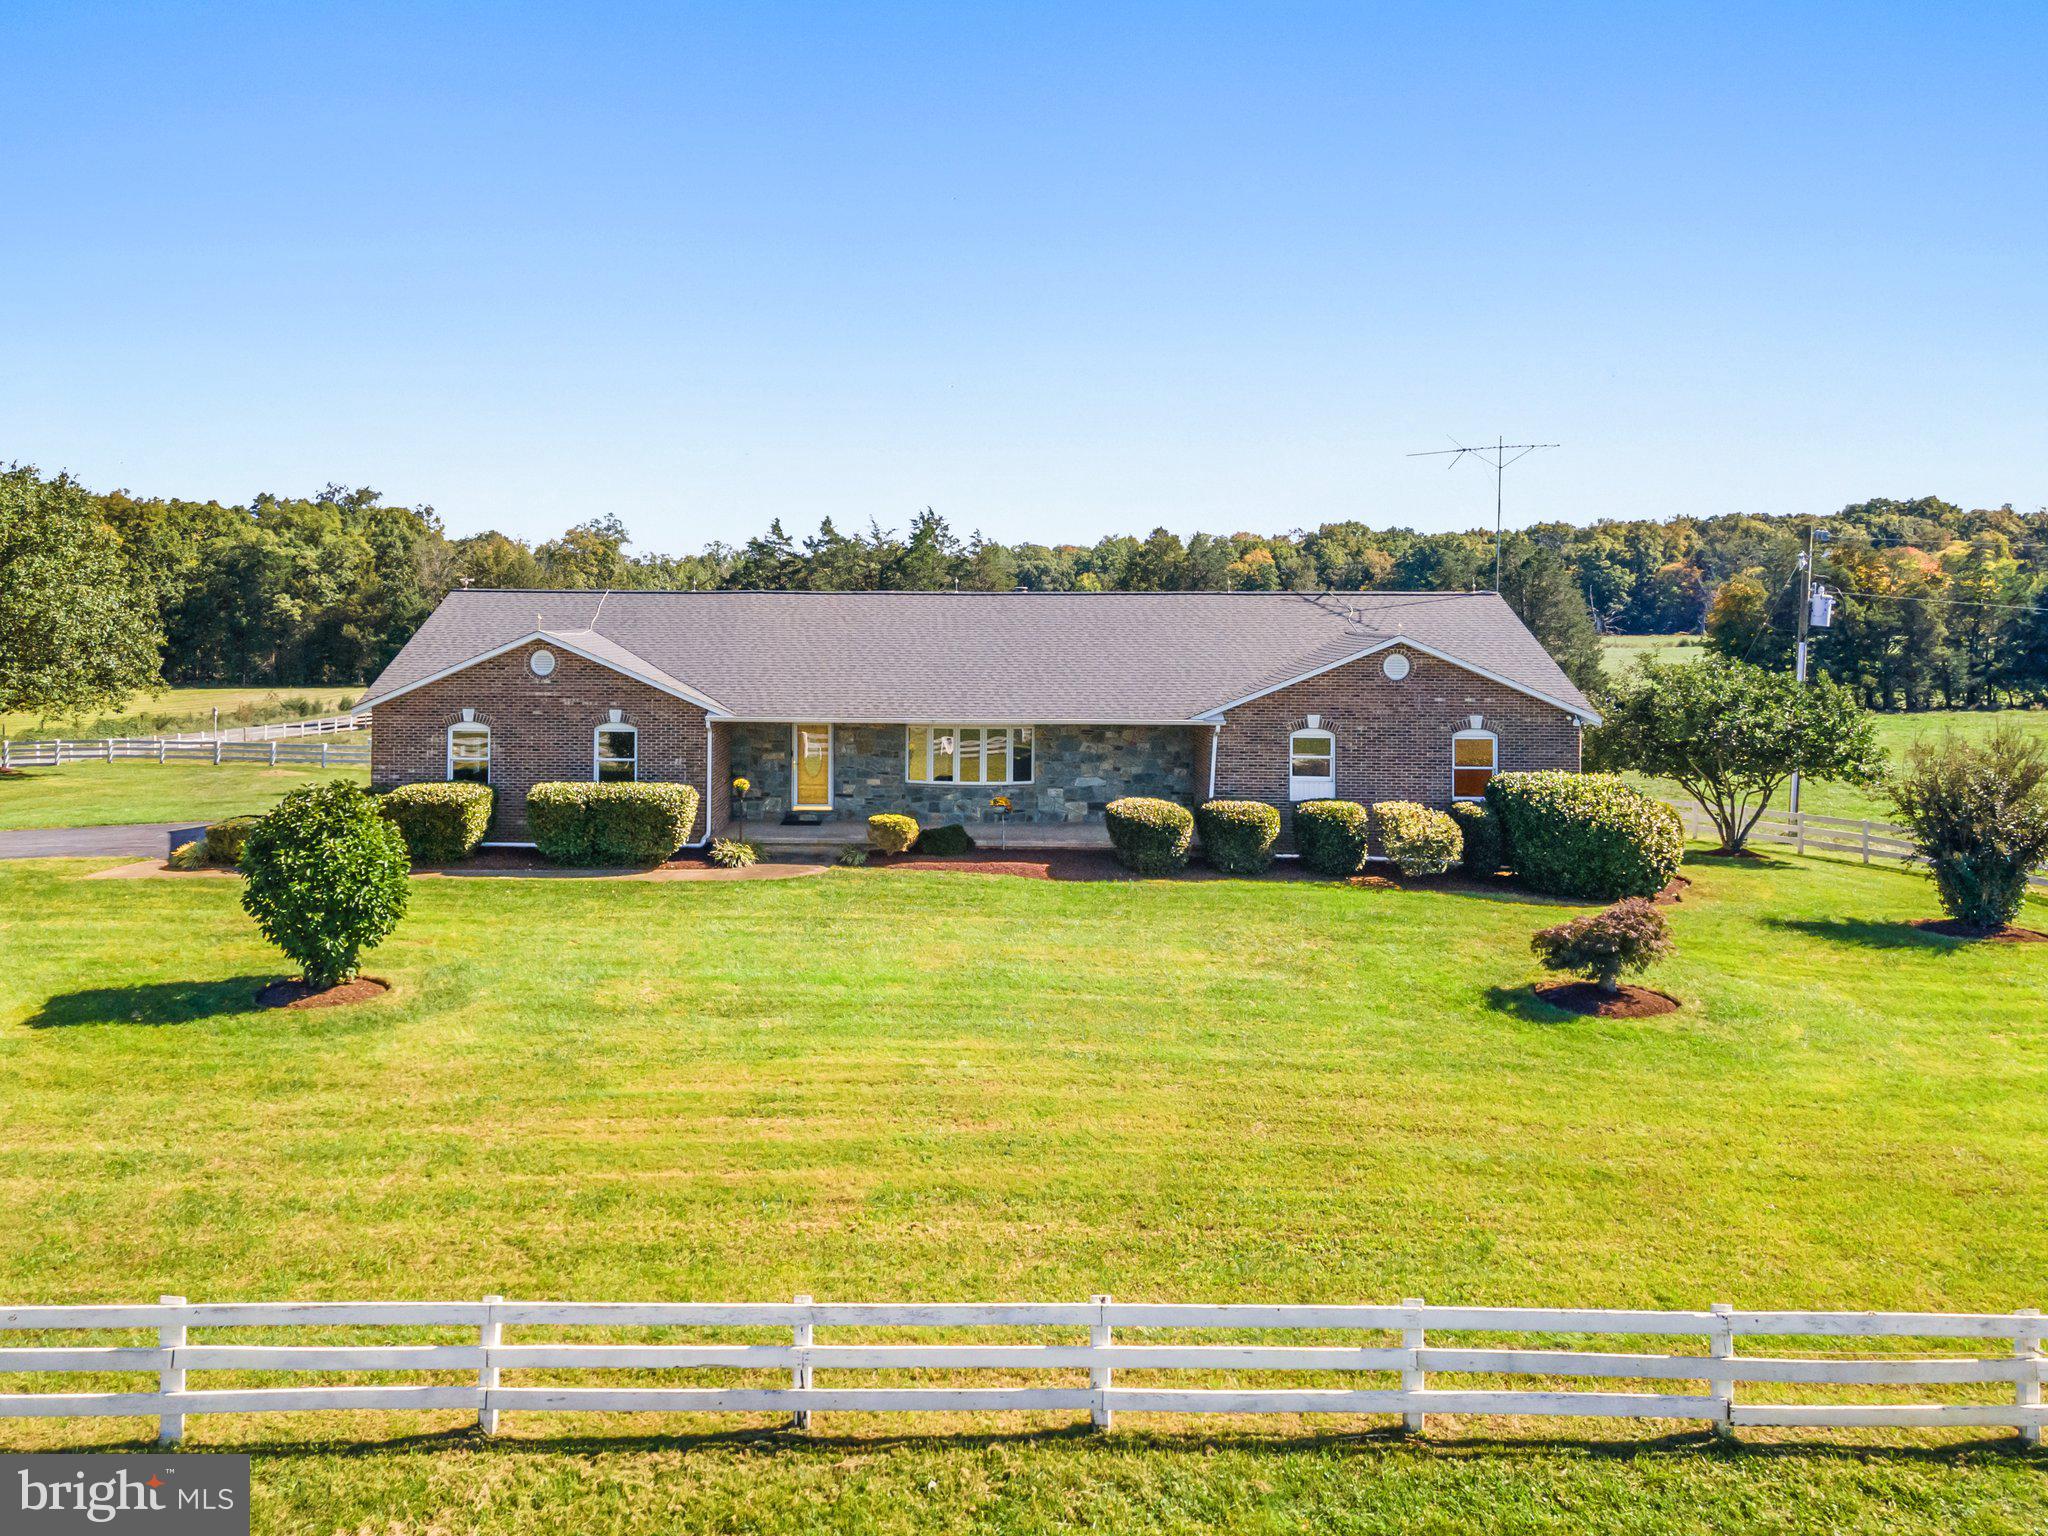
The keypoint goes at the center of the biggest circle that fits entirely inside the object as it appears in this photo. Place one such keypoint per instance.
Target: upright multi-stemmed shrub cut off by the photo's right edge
(1979, 816)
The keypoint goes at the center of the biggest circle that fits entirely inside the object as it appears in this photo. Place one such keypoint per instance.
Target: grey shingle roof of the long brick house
(980, 656)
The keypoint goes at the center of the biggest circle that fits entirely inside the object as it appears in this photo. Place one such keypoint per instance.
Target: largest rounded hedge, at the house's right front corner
(1586, 837)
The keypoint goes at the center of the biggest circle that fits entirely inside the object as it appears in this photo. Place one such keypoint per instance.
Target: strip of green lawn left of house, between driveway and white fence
(110, 794)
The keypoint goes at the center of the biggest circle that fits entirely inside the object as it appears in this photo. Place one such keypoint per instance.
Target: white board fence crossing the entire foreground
(501, 1347)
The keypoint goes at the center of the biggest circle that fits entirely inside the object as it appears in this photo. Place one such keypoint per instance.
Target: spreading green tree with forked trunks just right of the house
(1730, 734)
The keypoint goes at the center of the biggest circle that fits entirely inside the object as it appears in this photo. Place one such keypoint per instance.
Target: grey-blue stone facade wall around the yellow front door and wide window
(1076, 771)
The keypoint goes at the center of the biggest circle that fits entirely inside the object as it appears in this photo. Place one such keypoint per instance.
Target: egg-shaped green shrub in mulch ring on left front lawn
(327, 880)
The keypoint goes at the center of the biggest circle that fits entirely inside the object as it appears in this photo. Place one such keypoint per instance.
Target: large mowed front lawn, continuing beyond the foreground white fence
(945, 1086)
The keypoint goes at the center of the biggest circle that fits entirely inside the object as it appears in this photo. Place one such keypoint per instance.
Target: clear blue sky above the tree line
(1058, 271)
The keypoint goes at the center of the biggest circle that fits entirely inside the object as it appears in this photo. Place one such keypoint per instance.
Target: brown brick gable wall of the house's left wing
(542, 730)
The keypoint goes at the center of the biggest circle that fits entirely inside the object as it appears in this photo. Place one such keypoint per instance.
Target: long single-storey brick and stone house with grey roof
(837, 706)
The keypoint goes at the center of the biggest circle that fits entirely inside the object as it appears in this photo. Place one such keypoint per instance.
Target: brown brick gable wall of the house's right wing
(1394, 738)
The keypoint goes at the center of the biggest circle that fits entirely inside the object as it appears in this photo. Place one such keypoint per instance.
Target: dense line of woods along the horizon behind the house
(1938, 607)
